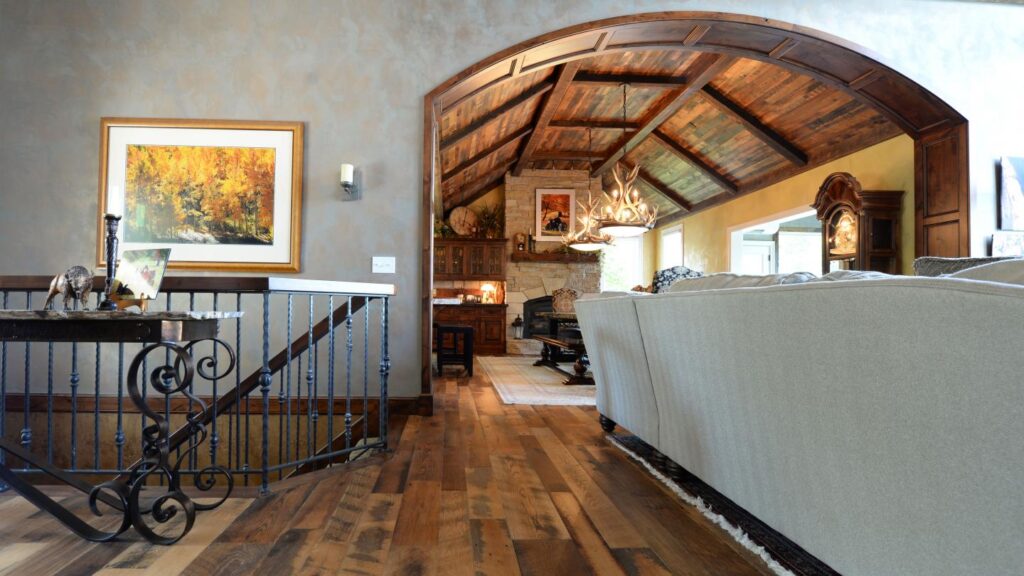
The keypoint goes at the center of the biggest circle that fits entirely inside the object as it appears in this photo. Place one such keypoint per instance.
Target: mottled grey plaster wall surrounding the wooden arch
(356, 72)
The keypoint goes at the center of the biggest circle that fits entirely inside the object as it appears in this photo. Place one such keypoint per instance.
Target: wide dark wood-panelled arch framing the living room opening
(938, 131)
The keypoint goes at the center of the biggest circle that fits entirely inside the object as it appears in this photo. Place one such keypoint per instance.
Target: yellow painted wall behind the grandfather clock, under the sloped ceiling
(888, 166)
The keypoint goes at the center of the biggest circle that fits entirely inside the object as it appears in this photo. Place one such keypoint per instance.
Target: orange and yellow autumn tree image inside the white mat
(199, 195)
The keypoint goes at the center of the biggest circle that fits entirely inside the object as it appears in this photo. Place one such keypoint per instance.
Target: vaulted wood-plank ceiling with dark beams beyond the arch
(704, 127)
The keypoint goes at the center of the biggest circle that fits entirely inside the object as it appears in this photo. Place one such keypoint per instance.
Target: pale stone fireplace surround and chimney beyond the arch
(526, 281)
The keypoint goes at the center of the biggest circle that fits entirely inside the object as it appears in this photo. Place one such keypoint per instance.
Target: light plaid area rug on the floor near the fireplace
(519, 382)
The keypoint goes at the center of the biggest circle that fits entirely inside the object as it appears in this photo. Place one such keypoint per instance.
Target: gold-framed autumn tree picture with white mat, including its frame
(223, 195)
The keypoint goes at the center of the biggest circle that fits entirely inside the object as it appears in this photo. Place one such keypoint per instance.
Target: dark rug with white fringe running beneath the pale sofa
(785, 552)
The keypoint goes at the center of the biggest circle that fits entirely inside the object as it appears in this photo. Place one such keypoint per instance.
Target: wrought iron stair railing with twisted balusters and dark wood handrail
(270, 424)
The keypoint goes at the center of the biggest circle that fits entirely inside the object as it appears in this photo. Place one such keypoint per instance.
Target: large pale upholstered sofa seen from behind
(878, 424)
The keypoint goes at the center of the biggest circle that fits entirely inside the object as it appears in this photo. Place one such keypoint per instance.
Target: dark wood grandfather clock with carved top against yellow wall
(860, 228)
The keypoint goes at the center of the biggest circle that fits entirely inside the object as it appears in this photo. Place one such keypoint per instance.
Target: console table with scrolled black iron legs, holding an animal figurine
(176, 334)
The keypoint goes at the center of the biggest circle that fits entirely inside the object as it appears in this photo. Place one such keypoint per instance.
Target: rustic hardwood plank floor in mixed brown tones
(481, 488)
